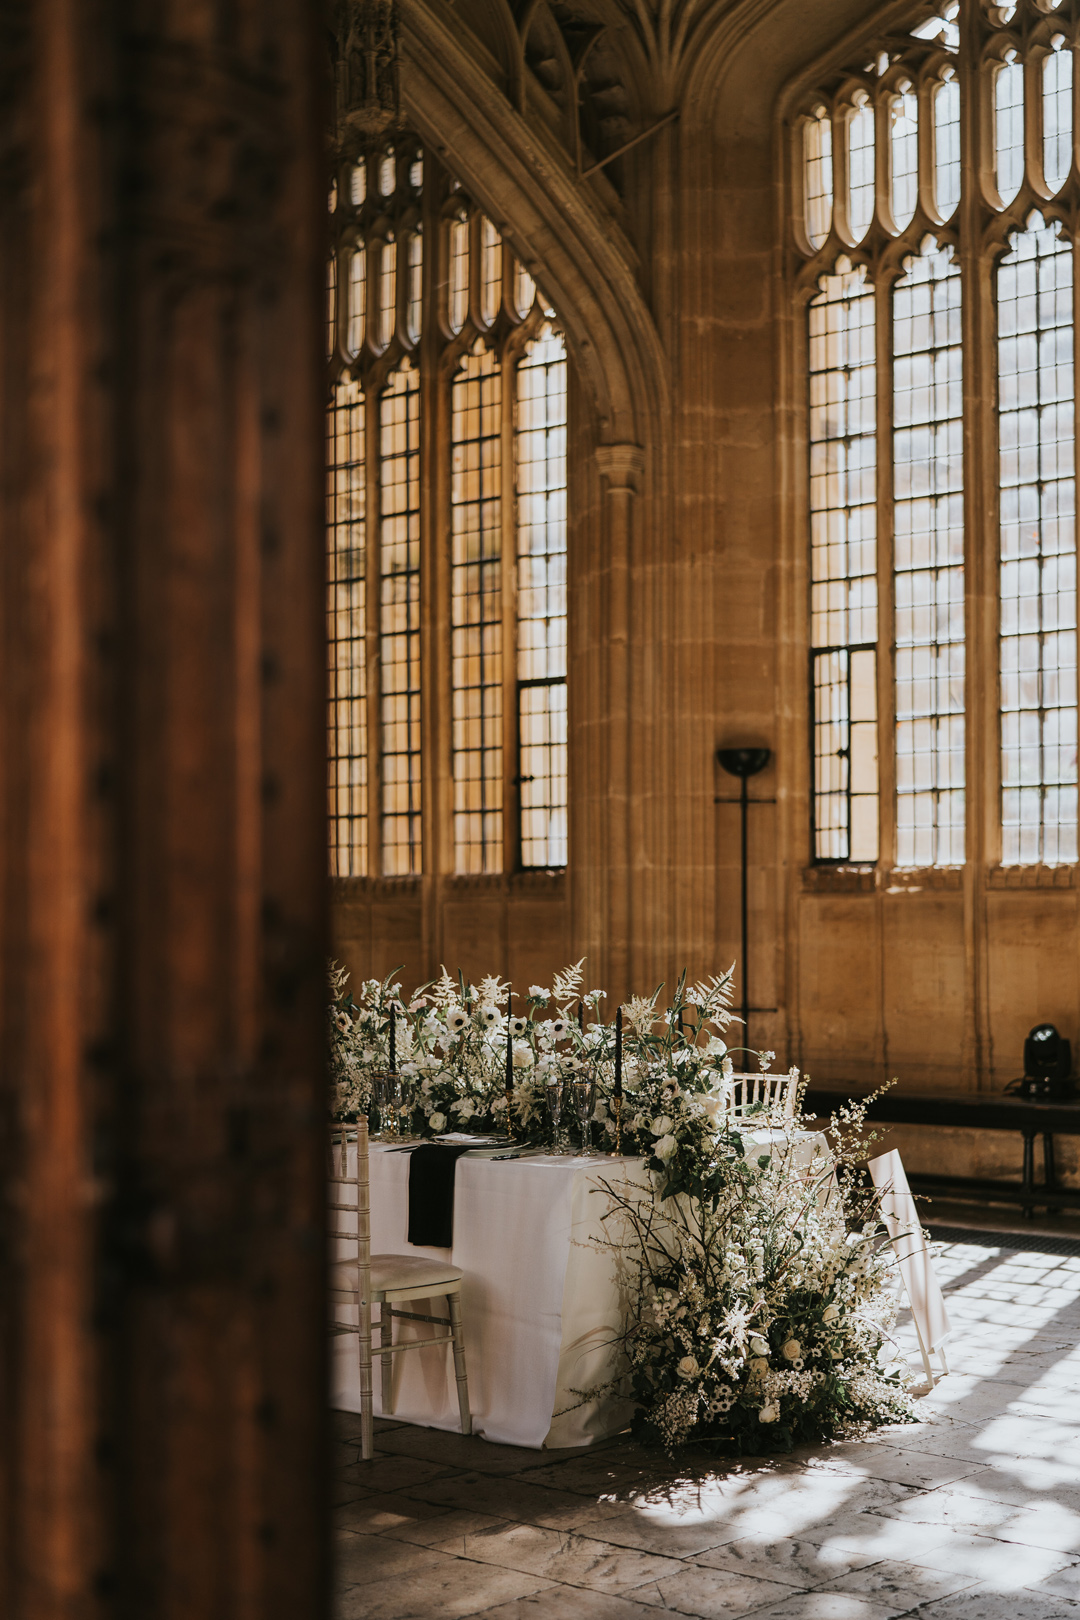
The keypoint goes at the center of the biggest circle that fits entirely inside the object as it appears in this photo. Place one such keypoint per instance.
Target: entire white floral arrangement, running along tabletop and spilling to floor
(760, 1303)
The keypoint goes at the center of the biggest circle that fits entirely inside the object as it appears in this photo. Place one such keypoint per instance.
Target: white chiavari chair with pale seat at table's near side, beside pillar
(386, 1281)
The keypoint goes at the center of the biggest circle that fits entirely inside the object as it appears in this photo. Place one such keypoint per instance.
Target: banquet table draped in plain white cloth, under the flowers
(542, 1300)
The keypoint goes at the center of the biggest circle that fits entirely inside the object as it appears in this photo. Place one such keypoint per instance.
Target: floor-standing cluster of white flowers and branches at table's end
(760, 1319)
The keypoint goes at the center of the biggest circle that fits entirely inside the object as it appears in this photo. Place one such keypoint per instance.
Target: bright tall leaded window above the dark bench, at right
(943, 597)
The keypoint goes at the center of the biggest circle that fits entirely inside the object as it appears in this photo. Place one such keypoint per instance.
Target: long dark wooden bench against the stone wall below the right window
(976, 1112)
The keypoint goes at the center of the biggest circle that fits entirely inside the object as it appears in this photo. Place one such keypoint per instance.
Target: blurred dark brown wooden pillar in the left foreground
(163, 832)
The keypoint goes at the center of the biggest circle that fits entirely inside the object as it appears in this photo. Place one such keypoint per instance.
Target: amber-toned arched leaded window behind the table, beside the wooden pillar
(448, 537)
